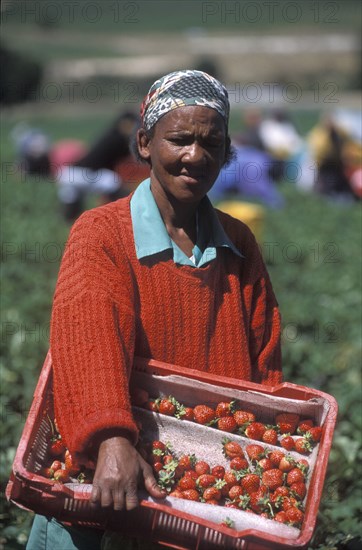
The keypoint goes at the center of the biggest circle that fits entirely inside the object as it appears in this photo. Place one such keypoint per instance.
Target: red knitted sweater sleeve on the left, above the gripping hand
(92, 335)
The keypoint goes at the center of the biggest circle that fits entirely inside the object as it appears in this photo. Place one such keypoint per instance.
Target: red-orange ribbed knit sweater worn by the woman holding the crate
(109, 306)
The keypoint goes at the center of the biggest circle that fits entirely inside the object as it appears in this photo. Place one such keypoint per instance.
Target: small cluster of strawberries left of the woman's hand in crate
(63, 467)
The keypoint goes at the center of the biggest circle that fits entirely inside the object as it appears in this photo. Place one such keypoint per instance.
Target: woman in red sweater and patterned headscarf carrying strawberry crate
(159, 274)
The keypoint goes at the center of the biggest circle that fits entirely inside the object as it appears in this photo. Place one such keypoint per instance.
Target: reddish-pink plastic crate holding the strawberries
(159, 521)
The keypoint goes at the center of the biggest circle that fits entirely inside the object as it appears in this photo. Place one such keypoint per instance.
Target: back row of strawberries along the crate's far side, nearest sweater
(229, 417)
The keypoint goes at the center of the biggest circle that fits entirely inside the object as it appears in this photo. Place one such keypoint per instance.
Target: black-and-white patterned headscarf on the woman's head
(180, 89)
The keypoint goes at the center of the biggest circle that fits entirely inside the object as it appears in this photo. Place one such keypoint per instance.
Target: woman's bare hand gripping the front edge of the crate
(119, 469)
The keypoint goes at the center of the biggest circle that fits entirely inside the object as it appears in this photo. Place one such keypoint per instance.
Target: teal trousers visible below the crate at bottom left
(48, 534)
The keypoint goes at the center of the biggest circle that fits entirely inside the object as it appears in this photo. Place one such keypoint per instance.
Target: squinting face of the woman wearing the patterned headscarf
(186, 152)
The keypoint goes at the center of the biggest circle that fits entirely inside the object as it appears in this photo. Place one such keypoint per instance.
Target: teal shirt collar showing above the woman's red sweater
(151, 237)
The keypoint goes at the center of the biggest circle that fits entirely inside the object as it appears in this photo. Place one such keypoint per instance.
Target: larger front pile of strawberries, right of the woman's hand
(269, 483)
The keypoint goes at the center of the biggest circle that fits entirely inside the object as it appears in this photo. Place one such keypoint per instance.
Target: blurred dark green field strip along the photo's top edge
(173, 15)
